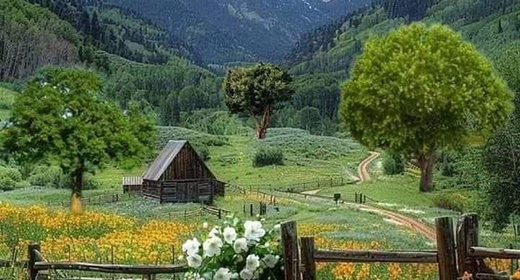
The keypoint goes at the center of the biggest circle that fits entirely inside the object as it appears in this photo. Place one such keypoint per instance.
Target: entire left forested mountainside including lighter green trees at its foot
(140, 62)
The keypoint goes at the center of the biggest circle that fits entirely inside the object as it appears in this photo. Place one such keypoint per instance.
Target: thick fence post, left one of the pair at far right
(446, 249)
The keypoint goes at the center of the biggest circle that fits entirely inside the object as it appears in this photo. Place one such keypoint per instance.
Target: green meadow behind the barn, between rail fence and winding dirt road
(307, 158)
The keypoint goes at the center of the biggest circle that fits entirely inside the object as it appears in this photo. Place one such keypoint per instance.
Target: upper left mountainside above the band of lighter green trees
(35, 33)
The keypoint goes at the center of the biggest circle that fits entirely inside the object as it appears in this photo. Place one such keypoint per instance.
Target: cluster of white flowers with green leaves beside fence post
(235, 250)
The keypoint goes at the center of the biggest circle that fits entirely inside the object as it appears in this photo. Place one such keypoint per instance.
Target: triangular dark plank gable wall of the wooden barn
(187, 165)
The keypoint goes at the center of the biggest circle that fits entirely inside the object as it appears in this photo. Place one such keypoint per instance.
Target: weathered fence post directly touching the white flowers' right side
(290, 251)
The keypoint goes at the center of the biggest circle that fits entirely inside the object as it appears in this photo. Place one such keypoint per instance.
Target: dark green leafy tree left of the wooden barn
(60, 118)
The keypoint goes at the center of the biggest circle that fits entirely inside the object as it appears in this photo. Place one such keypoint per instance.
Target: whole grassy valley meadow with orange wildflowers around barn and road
(306, 158)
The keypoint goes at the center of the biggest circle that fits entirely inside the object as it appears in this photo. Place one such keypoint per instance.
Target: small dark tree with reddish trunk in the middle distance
(257, 90)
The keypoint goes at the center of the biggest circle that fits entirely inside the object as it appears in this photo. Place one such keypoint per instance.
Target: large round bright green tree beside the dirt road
(421, 89)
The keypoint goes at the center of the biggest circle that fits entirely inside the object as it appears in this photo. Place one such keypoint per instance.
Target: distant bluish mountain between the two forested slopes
(227, 31)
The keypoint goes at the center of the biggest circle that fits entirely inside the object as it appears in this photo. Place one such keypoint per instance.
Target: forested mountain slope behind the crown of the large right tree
(492, 25)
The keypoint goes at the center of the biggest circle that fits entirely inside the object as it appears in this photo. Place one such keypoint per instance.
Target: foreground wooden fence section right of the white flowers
(457, 253)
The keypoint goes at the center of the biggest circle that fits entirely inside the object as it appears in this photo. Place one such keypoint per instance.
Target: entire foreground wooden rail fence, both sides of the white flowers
(458, 252)
